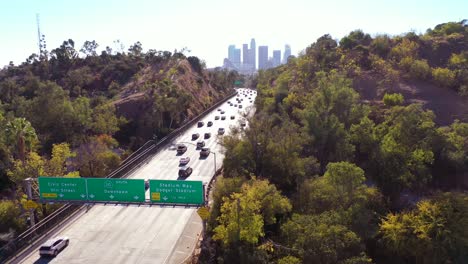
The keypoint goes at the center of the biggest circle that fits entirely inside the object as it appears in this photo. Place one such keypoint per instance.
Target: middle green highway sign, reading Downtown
(122, 190)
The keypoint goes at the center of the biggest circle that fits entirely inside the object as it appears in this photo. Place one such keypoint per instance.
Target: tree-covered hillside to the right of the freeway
(321, 176)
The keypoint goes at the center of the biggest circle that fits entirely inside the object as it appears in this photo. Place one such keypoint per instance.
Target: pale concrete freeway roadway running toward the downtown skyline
(146, 234)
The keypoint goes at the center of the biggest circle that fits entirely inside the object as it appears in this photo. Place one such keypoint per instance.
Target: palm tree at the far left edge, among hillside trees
(20, 133)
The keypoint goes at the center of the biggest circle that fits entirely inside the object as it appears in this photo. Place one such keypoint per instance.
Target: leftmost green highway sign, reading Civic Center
(69, 189)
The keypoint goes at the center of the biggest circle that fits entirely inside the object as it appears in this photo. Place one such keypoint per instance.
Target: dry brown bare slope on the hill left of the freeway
(137, 97)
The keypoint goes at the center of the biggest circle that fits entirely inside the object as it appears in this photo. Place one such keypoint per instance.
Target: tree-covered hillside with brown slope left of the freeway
(70, 113)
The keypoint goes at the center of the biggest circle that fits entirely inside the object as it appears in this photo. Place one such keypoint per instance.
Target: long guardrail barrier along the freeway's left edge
(130, 164)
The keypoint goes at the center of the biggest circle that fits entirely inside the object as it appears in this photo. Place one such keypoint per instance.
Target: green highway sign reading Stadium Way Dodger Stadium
(173, 191)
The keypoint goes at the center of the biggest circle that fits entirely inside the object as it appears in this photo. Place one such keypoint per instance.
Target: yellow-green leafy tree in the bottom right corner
(434, 232)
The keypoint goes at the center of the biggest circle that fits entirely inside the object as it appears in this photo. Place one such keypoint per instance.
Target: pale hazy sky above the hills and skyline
(207, 27)
